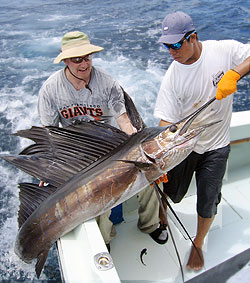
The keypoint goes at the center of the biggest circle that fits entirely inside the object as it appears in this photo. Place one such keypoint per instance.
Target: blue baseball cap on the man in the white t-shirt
(175, 26)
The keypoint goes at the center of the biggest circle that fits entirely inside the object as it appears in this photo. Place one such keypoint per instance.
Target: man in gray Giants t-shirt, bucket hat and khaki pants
(83, 92)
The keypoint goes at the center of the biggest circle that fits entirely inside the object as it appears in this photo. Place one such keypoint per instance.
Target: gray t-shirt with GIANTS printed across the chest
(59, 101)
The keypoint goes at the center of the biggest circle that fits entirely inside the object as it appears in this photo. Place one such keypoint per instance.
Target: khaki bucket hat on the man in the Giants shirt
(76, 44)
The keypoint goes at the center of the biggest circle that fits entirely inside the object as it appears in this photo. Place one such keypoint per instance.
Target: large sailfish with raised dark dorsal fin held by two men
(90, 167)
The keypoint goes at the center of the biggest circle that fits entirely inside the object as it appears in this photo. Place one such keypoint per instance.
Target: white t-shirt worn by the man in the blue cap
(185, 88)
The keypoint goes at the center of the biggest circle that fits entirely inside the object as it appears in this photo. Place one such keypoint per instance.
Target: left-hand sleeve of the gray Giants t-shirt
(47, 110)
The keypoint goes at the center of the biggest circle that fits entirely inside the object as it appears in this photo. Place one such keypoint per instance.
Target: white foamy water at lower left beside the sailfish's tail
(10, 265)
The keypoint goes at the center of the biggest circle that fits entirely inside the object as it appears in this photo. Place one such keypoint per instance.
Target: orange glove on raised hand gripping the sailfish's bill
(228, 84)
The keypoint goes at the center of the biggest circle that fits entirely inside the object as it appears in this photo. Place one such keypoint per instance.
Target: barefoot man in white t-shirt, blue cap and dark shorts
(199, 72)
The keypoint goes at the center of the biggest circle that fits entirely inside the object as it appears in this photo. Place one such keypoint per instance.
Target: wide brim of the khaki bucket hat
(78, 51)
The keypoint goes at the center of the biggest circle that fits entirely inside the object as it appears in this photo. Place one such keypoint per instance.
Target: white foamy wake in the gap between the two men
(141, 84)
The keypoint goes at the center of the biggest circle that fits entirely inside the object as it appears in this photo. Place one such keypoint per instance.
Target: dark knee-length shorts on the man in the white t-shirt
(209, 169)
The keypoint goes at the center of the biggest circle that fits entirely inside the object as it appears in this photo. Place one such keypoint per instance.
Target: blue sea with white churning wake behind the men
(30, 33)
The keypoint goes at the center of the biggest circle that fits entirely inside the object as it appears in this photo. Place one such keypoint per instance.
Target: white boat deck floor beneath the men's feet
(228, 236)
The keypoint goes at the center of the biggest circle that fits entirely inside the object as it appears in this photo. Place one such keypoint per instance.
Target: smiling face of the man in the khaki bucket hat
(80, 66)
